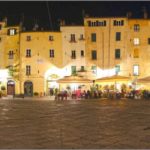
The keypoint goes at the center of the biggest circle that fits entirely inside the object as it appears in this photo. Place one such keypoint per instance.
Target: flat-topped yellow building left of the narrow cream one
(41, 61)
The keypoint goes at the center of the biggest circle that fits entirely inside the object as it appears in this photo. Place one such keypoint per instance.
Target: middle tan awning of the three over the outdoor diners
(113, 78)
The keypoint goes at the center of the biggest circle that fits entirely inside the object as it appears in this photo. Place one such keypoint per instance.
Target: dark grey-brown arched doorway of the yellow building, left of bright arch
(28, 88)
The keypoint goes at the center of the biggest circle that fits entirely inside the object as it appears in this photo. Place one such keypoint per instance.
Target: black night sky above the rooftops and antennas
(70, 11)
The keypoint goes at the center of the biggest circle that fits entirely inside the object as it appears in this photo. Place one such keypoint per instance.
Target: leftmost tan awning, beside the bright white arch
(74, 79)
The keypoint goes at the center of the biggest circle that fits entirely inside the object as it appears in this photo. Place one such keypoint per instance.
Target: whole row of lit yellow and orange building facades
(102, 47)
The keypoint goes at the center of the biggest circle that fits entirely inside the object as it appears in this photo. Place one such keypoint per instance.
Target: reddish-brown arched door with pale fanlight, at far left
(10, 87)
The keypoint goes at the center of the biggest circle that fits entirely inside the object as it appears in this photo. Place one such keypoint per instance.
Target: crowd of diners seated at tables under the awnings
(89, 94)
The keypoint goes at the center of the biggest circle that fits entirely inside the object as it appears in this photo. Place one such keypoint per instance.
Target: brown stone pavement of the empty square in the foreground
(75, 124)
